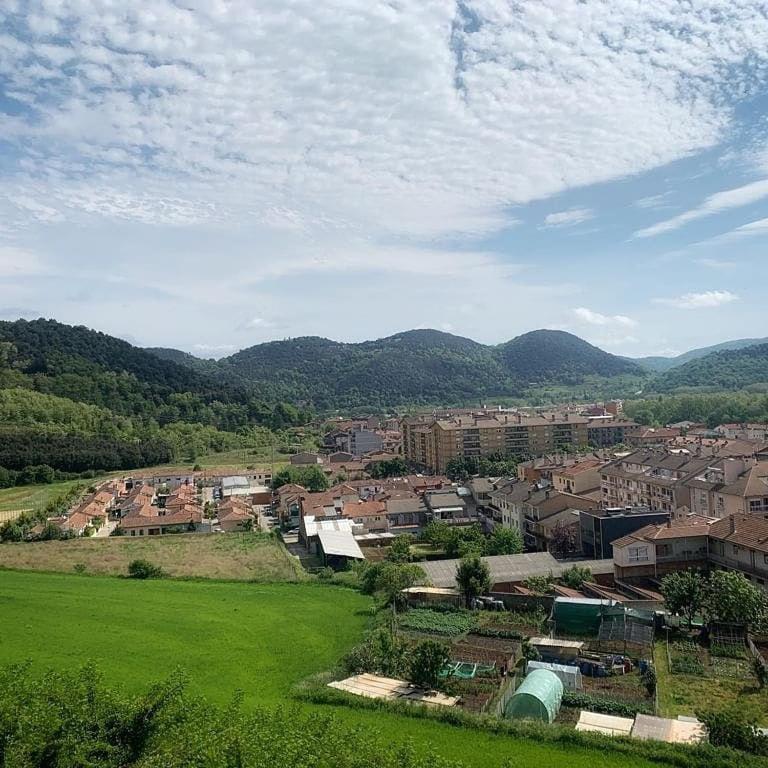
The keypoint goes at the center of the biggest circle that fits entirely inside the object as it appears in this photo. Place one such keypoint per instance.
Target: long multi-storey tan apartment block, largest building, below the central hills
(432, 442)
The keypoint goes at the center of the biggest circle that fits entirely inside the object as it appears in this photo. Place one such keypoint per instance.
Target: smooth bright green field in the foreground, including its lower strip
(258, 638)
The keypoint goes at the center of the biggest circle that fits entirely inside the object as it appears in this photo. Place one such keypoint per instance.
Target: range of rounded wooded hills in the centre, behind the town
(419, 366)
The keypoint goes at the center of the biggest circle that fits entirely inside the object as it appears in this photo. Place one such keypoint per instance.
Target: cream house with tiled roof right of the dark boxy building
(656, 550)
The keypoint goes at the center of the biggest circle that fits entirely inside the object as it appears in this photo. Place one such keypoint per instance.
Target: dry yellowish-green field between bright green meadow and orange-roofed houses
(240, 556)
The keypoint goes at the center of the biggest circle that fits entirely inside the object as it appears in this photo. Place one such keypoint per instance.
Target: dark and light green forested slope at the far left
(74, 400)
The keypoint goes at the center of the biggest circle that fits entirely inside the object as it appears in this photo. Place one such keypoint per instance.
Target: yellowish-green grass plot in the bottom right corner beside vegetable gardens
(718, 688)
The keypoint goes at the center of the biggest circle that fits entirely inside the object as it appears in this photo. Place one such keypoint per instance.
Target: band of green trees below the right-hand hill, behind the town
(709, 409)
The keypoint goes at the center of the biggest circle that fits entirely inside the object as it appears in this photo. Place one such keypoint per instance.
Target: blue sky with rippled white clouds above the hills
(212, 174)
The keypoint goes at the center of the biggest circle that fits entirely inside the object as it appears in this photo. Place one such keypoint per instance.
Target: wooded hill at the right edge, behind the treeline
(733, 369)
